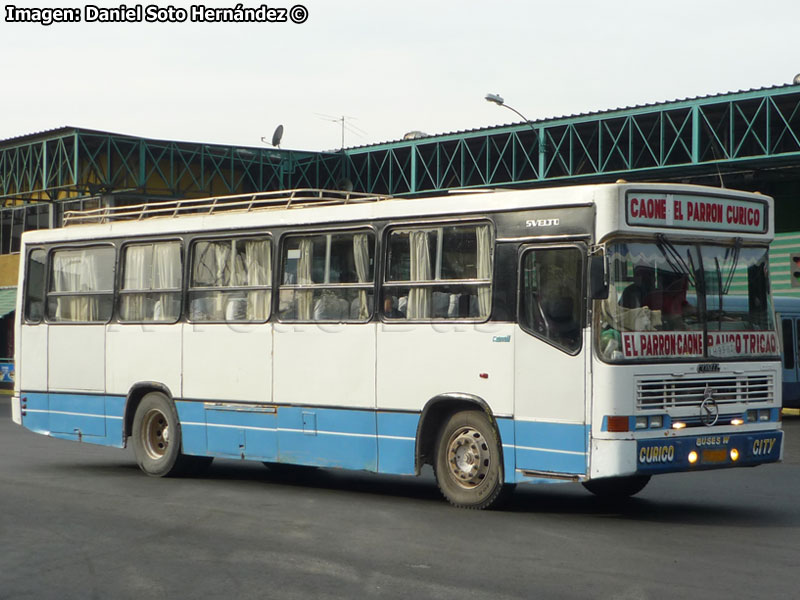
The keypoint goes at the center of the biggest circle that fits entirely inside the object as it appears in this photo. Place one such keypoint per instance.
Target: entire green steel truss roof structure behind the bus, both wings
(756, 130)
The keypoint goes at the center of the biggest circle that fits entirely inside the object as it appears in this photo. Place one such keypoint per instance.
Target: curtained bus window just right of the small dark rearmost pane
(81, 285)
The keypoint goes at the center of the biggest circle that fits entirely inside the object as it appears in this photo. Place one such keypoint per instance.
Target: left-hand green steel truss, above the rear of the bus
(74, 163)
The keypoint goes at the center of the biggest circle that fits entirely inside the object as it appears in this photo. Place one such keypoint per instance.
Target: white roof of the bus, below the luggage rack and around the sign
(331, 209)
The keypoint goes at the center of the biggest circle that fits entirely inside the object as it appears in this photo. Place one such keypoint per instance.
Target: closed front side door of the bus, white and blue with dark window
(551, 434)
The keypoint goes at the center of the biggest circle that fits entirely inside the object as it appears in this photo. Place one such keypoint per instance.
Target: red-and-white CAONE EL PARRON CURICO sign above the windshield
(686, 211)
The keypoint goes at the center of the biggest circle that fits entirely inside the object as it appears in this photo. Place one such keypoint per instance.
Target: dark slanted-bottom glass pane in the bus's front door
(551, 295)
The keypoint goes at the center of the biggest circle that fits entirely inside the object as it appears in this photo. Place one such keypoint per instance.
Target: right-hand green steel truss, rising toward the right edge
(747, 130)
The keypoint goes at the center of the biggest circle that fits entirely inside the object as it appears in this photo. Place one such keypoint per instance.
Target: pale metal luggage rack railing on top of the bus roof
(279, 200)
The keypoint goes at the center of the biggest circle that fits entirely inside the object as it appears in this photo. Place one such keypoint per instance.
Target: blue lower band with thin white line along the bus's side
(367, 439)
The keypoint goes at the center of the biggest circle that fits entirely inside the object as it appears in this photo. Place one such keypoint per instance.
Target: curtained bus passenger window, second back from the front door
(327, 277)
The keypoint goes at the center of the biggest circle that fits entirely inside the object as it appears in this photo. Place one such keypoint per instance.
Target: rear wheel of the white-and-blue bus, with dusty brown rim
(157, 439)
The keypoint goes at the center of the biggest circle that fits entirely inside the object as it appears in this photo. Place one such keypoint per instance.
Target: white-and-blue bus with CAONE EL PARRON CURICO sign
(578, 334)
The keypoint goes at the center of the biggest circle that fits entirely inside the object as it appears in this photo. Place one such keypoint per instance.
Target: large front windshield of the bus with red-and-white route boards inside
(686, 301)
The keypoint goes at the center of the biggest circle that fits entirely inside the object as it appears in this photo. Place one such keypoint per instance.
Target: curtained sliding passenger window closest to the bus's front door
(440, 272)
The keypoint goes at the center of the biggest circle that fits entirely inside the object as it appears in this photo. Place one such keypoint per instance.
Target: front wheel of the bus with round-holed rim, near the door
(469, 464)
